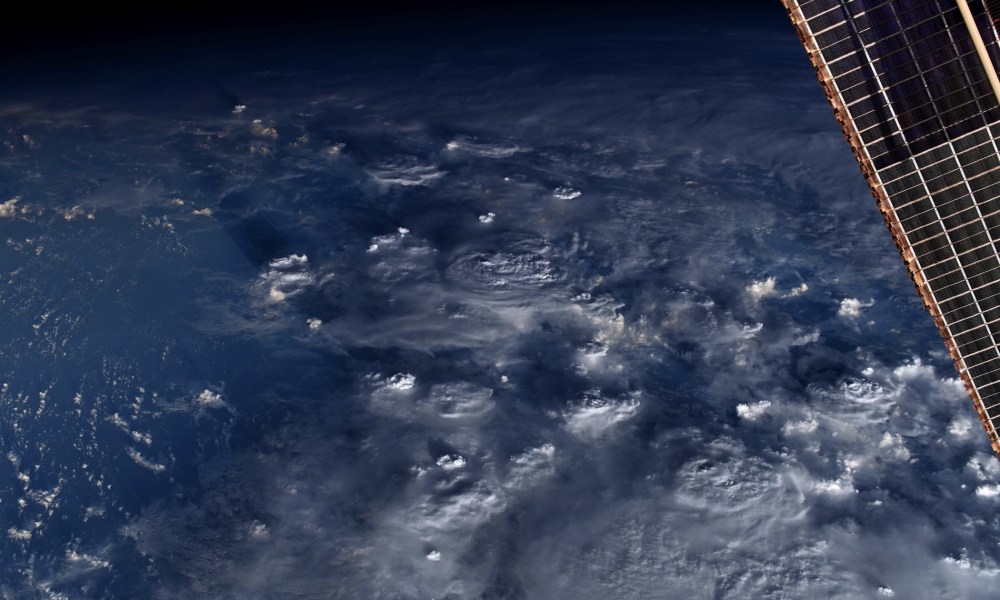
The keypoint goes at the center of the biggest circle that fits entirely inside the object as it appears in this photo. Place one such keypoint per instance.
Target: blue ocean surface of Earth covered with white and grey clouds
(540, 314)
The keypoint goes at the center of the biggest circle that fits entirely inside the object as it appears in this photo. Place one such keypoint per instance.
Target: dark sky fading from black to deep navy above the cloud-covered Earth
(61, 50)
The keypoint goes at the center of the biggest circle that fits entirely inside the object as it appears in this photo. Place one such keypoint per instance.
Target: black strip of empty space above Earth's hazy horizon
(49, 36)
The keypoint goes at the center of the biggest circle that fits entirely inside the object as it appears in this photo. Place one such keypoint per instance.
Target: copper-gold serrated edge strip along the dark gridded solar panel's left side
(882, 201)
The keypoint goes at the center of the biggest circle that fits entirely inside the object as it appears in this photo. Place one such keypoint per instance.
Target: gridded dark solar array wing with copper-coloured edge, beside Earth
(913, 84)
